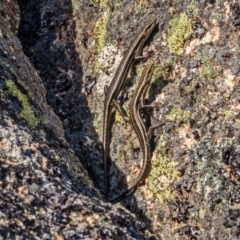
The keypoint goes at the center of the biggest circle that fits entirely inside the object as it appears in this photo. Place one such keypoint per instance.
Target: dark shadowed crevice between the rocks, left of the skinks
(47, 33)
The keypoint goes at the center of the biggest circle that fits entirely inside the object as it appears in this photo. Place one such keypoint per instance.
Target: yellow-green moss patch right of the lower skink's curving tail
(162, 175)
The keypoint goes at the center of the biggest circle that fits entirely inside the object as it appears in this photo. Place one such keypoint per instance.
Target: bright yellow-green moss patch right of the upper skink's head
(180, 29)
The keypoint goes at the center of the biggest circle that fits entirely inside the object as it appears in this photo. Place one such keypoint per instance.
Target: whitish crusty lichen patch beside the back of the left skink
(108, 59)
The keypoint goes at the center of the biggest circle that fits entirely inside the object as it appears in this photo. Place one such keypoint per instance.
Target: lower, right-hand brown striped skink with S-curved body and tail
(139, 127)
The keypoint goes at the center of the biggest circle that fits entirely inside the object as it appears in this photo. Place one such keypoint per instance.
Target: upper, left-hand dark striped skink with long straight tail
(115, 86)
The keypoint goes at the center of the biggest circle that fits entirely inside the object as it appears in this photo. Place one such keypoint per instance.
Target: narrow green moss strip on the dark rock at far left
(26, 111)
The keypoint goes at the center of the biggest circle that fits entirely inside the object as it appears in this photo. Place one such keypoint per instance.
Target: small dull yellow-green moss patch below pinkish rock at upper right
(207, 71)
